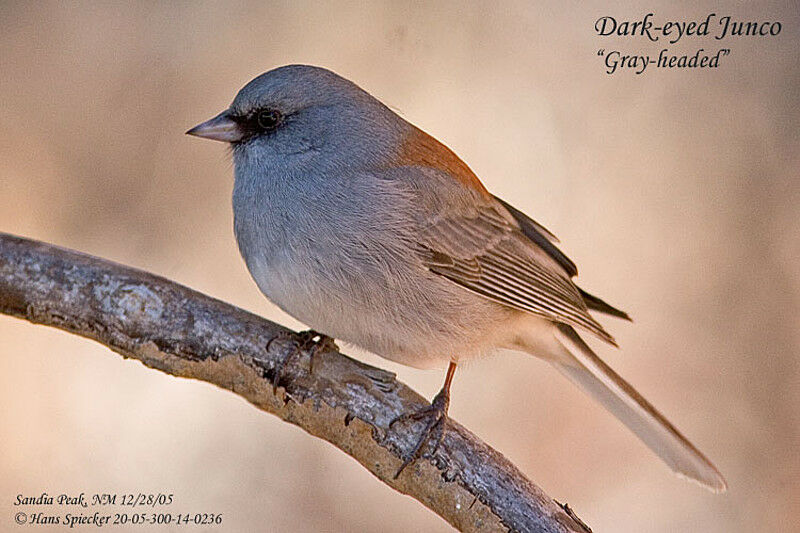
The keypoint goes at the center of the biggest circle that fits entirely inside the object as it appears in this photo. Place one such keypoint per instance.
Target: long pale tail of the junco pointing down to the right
(595, 377)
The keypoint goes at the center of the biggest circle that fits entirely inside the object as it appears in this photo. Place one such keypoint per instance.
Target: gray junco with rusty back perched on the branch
(370, 231)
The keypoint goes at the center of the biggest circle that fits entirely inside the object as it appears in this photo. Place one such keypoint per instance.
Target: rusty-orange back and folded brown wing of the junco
(482, 243)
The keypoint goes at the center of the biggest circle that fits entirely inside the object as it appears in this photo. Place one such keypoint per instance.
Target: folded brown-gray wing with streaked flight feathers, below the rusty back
(485, 251)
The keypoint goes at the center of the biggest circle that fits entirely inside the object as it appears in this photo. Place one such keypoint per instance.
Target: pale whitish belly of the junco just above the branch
(420, 328)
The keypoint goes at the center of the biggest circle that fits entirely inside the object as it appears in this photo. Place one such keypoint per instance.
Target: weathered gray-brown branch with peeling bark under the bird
(179, 331)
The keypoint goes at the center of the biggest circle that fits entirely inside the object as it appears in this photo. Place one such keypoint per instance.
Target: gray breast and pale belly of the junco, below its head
(369, 287)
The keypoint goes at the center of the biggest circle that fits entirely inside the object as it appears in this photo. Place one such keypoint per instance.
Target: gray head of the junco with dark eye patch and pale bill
(295, 108)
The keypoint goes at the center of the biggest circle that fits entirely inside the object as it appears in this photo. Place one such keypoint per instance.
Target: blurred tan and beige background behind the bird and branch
(677, 192)
